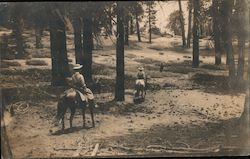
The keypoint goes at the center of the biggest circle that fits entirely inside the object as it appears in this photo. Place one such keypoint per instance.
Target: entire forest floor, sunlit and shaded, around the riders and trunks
(187, 112)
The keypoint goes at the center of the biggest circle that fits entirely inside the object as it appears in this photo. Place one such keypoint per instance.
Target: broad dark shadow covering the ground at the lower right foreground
(183, 140)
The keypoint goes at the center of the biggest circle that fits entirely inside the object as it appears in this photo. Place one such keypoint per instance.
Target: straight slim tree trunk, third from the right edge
(217, 35)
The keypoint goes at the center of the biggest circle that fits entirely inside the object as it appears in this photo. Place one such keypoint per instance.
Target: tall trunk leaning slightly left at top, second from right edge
(228, 4)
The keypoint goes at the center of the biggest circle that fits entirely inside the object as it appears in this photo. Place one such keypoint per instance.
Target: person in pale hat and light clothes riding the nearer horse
(79, 84)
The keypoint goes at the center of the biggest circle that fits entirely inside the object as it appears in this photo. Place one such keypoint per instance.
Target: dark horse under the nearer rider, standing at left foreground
(72, 99)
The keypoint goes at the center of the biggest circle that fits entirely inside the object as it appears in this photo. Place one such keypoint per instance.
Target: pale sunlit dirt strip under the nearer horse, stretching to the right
(165, 107)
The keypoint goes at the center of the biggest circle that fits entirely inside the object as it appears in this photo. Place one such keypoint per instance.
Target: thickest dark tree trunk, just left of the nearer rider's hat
(60, 67)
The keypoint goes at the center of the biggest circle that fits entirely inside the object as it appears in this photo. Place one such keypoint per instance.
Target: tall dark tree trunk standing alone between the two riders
(119, 88)
